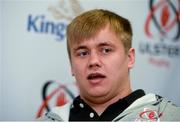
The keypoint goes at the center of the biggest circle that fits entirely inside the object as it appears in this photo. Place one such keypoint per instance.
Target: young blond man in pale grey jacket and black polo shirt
(101, 56)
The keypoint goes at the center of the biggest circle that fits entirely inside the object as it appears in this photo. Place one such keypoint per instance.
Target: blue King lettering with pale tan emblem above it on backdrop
(62, 13)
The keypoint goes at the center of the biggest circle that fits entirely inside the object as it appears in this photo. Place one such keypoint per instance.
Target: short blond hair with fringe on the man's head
(88, 24)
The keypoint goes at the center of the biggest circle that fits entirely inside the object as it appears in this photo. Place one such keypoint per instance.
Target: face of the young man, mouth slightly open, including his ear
(101, 66)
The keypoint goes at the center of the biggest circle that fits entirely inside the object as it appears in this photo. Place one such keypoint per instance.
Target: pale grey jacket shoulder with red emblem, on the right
(151, 106)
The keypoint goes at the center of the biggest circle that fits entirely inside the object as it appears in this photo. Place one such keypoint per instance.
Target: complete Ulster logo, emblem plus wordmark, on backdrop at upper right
(162, 33)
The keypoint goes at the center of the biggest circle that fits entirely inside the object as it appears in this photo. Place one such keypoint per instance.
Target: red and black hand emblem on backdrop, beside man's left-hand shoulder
(56, 94)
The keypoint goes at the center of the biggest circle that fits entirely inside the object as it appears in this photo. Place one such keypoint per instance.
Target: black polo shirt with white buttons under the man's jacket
(82, 111)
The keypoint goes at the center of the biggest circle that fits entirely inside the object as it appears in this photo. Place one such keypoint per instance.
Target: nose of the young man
(94, 61)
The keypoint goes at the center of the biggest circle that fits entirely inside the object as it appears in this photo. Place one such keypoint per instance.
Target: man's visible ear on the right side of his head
(131, 58)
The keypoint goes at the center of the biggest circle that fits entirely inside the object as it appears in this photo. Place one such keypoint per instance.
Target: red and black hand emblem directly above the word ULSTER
(163, 19)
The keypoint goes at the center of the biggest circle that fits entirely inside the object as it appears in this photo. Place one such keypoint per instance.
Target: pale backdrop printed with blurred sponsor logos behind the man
(34, 66)
